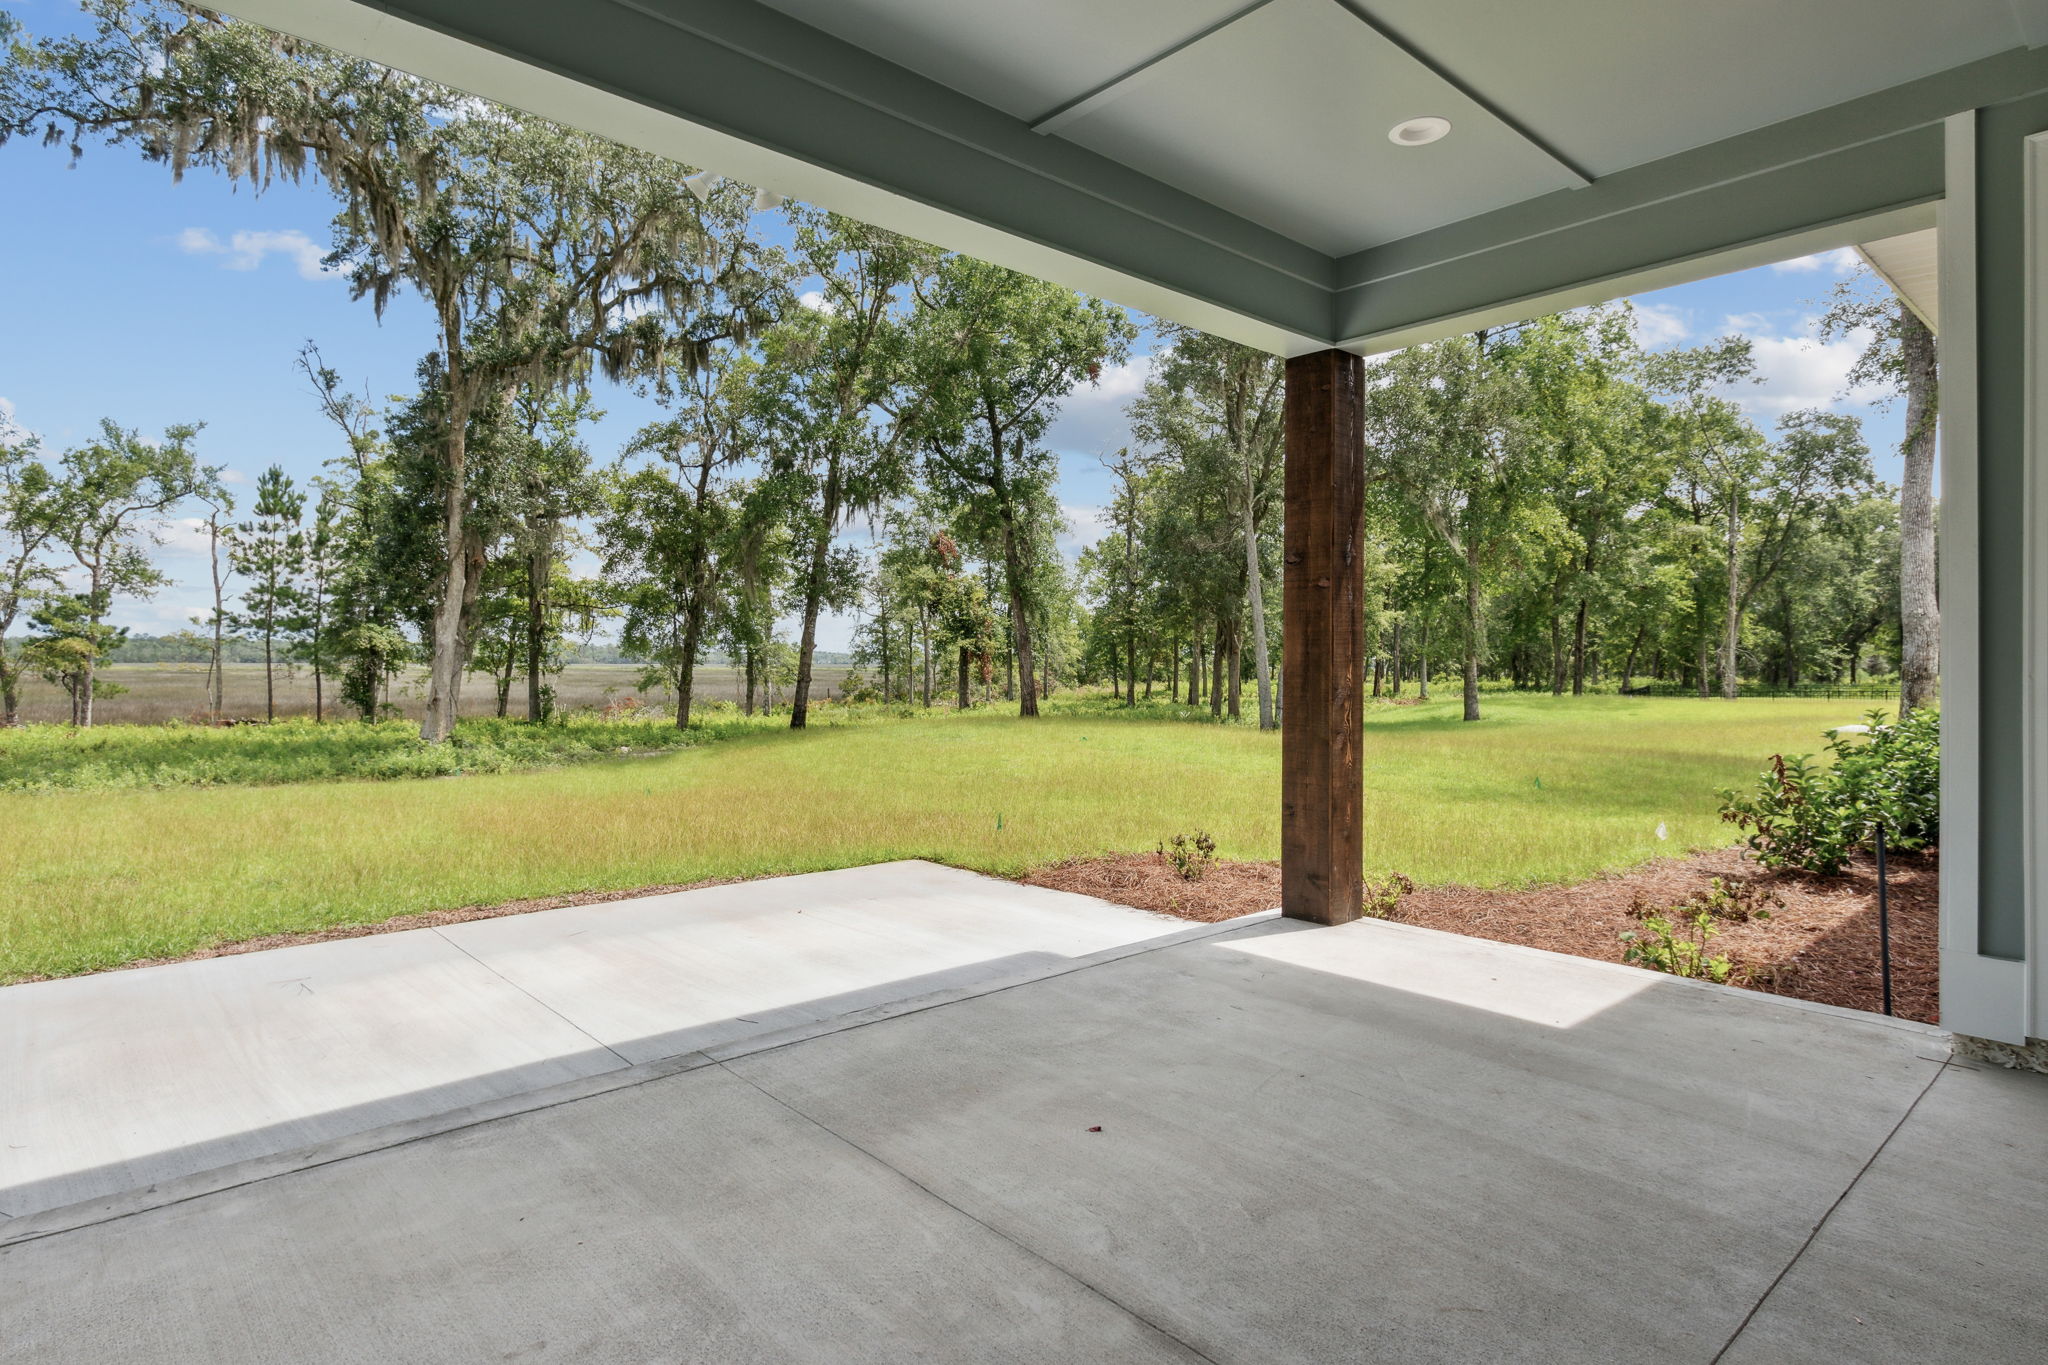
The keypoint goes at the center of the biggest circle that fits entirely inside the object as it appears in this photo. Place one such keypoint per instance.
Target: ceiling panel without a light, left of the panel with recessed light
(1021, 56)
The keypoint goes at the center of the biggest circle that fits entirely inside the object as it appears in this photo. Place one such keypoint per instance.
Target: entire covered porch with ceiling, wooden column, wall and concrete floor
(1302, 1137)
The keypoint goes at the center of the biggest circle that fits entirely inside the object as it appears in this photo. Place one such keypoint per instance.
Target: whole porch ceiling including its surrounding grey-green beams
(1226, 163)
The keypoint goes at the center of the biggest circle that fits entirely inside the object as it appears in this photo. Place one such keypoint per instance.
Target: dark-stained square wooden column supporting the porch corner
(1322, 773)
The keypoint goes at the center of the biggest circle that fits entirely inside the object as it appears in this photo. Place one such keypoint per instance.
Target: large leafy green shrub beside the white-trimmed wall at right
(1816, 816)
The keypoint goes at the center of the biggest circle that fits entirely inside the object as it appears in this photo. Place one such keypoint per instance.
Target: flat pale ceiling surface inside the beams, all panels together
(1279, 109)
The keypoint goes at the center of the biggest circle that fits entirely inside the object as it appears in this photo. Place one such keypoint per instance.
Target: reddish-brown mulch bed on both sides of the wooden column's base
(1820, 946)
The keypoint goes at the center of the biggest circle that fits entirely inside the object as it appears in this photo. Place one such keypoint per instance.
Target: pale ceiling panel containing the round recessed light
(1283, 118)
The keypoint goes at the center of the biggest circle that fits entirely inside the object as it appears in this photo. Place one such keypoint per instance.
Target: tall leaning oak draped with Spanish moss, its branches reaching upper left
(540, 251)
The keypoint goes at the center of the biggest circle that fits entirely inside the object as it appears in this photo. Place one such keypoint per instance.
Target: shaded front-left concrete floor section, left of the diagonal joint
(697, 1221)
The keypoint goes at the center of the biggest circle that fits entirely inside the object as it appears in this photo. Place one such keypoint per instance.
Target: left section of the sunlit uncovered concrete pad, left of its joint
(136, 1077)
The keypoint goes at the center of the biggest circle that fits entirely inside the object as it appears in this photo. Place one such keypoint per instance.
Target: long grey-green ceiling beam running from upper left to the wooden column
(751, 93)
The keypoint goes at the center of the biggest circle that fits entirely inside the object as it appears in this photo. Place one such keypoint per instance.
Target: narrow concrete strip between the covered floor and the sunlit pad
(259, 1170)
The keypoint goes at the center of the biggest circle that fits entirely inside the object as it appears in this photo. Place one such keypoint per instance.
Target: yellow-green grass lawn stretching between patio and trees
(1541, 791)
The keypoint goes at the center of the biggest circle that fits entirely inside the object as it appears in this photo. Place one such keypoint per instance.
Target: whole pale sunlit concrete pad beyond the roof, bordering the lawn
(140, 1077)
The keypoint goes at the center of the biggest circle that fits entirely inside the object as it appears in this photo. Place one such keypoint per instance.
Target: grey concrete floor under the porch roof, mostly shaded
(1365, 1143)
